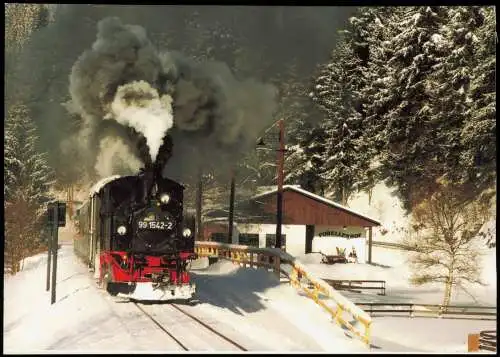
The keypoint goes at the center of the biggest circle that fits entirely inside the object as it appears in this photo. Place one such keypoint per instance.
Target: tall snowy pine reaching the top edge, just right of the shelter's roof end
(412, 163)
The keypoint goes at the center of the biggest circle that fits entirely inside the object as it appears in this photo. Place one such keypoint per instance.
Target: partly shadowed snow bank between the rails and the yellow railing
(268, 311)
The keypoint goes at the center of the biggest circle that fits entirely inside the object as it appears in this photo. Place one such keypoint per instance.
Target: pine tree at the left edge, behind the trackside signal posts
(28, 179)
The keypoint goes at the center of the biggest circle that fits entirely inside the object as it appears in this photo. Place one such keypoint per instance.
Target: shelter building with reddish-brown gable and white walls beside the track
(310, 224)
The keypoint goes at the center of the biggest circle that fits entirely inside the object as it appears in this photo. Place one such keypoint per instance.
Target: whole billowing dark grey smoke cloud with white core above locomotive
(125, 90)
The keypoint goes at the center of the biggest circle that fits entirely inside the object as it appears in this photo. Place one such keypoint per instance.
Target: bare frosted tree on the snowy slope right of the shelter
(447, 226)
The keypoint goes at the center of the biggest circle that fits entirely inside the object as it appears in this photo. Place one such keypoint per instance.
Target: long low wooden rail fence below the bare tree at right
(428, 310)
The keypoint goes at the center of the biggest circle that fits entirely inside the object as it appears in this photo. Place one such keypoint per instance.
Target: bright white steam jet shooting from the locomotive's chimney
(138, 105)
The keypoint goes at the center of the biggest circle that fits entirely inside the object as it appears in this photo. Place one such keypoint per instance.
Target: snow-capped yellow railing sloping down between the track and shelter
(300, 278)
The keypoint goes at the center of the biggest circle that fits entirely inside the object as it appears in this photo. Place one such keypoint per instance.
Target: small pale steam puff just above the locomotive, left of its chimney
(115, 157)
